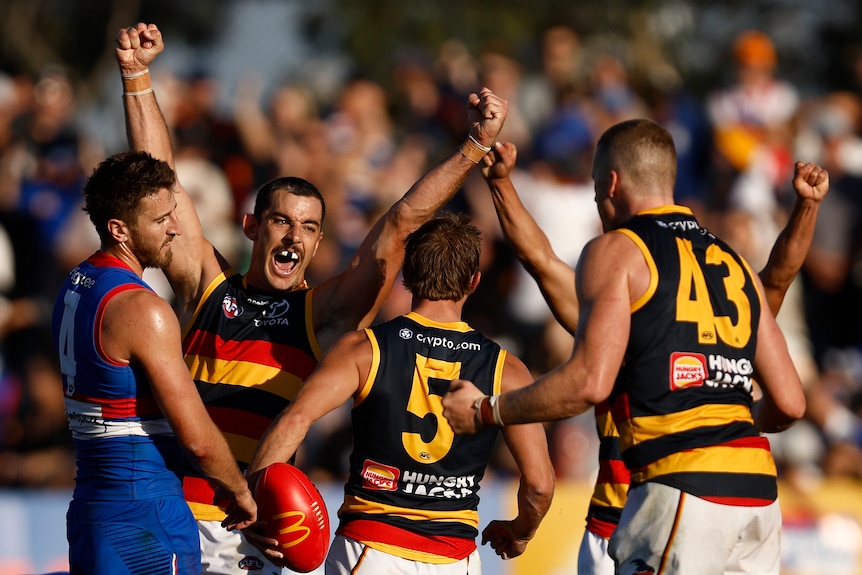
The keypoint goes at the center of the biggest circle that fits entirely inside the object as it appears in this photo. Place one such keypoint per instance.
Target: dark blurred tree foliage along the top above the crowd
(818, 41)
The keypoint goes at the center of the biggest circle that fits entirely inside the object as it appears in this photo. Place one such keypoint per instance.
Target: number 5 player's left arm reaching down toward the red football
(336, 379)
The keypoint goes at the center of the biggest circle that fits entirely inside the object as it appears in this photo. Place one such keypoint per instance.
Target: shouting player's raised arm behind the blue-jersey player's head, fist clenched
(195, 262)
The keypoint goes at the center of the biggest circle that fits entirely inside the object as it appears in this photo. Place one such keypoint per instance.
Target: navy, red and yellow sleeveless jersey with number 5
(409, 472)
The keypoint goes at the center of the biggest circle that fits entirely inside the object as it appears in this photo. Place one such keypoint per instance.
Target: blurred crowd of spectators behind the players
(365, 144)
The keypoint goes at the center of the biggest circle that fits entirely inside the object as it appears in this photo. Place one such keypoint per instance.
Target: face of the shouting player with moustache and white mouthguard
(291, 225)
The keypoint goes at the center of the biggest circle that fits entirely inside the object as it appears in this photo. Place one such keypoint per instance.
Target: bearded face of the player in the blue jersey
(148, 238)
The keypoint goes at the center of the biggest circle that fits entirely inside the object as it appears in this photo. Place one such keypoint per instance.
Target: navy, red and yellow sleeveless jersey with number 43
(683, 397)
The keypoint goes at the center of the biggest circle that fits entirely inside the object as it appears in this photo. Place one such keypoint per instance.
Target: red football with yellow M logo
(295, 515)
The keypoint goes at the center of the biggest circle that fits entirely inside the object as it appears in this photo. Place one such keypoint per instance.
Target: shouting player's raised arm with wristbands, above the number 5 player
(352, 298)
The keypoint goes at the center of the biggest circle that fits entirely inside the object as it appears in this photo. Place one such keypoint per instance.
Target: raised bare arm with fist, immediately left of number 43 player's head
(556, 278)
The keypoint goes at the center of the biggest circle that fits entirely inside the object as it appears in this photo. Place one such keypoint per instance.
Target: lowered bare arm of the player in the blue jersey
(141, 327)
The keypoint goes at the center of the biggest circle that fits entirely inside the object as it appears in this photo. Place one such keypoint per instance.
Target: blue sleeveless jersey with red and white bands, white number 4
(125, 448)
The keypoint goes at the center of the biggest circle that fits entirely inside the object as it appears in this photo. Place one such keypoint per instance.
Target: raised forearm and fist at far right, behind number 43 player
(811, 183)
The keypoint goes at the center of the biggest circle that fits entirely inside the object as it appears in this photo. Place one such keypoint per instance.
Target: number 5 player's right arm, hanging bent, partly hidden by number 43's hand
(529, 447)
